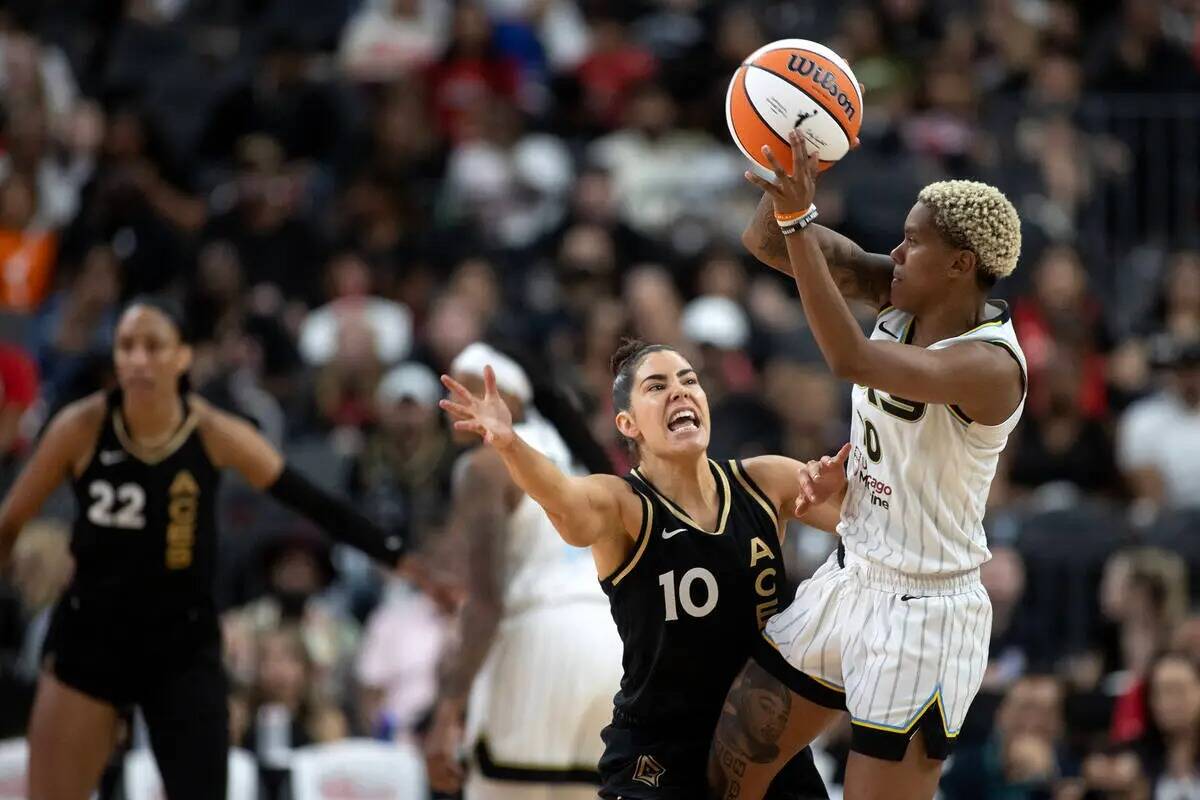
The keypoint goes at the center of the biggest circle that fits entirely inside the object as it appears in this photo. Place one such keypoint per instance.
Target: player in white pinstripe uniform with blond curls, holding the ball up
(896, 627)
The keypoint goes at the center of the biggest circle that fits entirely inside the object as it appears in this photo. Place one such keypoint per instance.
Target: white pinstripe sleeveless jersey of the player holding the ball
(920, 473)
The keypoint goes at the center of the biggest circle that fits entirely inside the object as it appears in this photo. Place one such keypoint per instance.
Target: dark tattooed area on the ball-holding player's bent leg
(752, 724)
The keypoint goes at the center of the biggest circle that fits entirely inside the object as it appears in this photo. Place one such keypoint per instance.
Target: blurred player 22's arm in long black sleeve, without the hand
(236, 444)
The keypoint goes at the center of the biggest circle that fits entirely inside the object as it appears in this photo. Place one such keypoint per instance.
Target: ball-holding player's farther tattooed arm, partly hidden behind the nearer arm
(859, 275)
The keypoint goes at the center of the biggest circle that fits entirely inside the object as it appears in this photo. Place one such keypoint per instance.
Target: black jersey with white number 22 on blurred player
(146, 538)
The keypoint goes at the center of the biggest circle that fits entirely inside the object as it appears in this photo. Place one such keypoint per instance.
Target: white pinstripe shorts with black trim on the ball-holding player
(902, 653)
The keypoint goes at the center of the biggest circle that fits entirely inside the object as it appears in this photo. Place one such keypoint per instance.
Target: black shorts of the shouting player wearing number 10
(643, 767)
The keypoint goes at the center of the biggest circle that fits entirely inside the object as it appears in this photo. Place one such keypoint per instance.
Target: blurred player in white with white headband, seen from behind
(538, 660)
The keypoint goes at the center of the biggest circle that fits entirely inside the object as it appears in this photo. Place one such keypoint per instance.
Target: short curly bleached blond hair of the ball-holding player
(977, 218)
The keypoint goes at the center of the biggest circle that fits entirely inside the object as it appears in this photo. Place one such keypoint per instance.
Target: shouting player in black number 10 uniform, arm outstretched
(688, 551)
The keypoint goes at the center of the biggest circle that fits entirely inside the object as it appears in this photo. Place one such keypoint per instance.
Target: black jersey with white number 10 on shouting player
(691, 604)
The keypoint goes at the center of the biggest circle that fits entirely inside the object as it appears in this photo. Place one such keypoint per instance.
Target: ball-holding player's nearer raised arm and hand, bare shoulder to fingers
(981, 378)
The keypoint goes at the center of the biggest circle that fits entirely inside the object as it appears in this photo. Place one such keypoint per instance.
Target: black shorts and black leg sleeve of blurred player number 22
(175, 675)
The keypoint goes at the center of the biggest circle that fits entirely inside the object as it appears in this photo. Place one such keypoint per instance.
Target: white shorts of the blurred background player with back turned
(544, 695)
